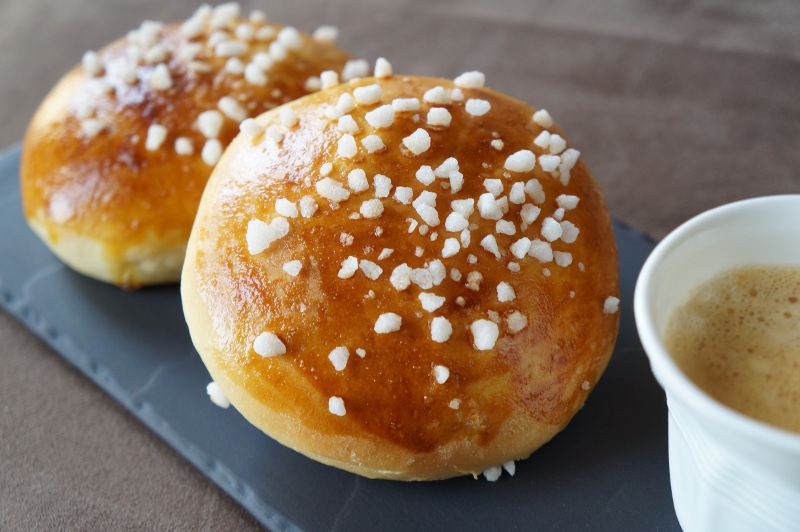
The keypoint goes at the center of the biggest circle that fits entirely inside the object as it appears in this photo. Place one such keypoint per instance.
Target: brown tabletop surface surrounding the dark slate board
(677, 106)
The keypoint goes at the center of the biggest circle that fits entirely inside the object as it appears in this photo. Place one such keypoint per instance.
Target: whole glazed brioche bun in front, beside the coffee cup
(470, 282)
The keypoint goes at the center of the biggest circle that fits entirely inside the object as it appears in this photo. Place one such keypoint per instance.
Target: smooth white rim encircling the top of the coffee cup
(662, 364)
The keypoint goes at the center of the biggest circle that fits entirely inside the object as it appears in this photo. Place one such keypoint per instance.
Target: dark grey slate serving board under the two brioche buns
(607, 470)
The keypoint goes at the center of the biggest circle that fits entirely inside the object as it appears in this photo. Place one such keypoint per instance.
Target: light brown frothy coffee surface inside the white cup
(738, 338)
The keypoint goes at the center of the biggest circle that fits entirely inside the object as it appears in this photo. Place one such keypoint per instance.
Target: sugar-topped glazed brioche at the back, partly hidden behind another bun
(116, 158)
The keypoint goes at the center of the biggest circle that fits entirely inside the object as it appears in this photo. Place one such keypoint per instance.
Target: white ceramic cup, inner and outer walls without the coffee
(728, 471)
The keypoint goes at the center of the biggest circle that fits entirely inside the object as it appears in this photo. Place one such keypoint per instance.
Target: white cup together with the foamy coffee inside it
(728, 470)
